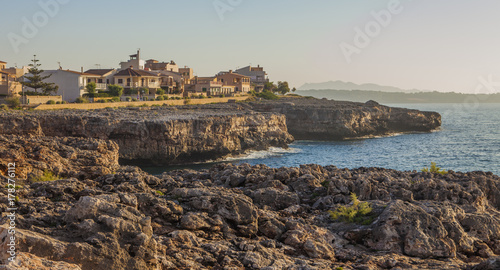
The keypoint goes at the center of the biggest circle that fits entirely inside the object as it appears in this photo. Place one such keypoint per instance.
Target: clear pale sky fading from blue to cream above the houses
(426, 44)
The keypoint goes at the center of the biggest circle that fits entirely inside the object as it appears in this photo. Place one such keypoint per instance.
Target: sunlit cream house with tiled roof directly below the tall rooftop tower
(132, 78)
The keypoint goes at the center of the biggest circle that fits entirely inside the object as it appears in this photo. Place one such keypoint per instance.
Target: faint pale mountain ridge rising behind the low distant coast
(340, 85)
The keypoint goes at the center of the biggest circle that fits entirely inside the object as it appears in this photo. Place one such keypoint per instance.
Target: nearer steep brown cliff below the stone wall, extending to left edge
(160, 135)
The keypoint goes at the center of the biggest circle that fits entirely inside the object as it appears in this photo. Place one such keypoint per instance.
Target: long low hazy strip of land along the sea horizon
(393, 97)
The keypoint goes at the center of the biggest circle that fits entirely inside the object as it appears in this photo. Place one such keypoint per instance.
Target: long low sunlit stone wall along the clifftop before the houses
(91, 106)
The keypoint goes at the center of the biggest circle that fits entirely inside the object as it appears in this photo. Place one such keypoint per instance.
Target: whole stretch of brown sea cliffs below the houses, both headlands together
(186, 134)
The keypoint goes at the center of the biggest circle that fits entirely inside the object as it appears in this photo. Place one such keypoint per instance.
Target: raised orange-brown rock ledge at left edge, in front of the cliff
(62, 156)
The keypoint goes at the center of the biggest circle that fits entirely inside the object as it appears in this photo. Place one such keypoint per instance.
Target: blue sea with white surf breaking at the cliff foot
(468, 140)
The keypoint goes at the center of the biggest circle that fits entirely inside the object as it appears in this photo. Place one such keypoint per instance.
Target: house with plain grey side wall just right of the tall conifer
(71, 83)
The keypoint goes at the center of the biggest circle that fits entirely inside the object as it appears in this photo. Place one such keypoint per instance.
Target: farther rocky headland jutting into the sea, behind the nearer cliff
(312, 119)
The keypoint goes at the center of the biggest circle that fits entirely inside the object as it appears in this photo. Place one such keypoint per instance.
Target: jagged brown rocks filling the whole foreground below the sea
(103, 216)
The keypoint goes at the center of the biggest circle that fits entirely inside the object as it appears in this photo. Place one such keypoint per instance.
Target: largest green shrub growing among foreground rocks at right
(356, 213)
